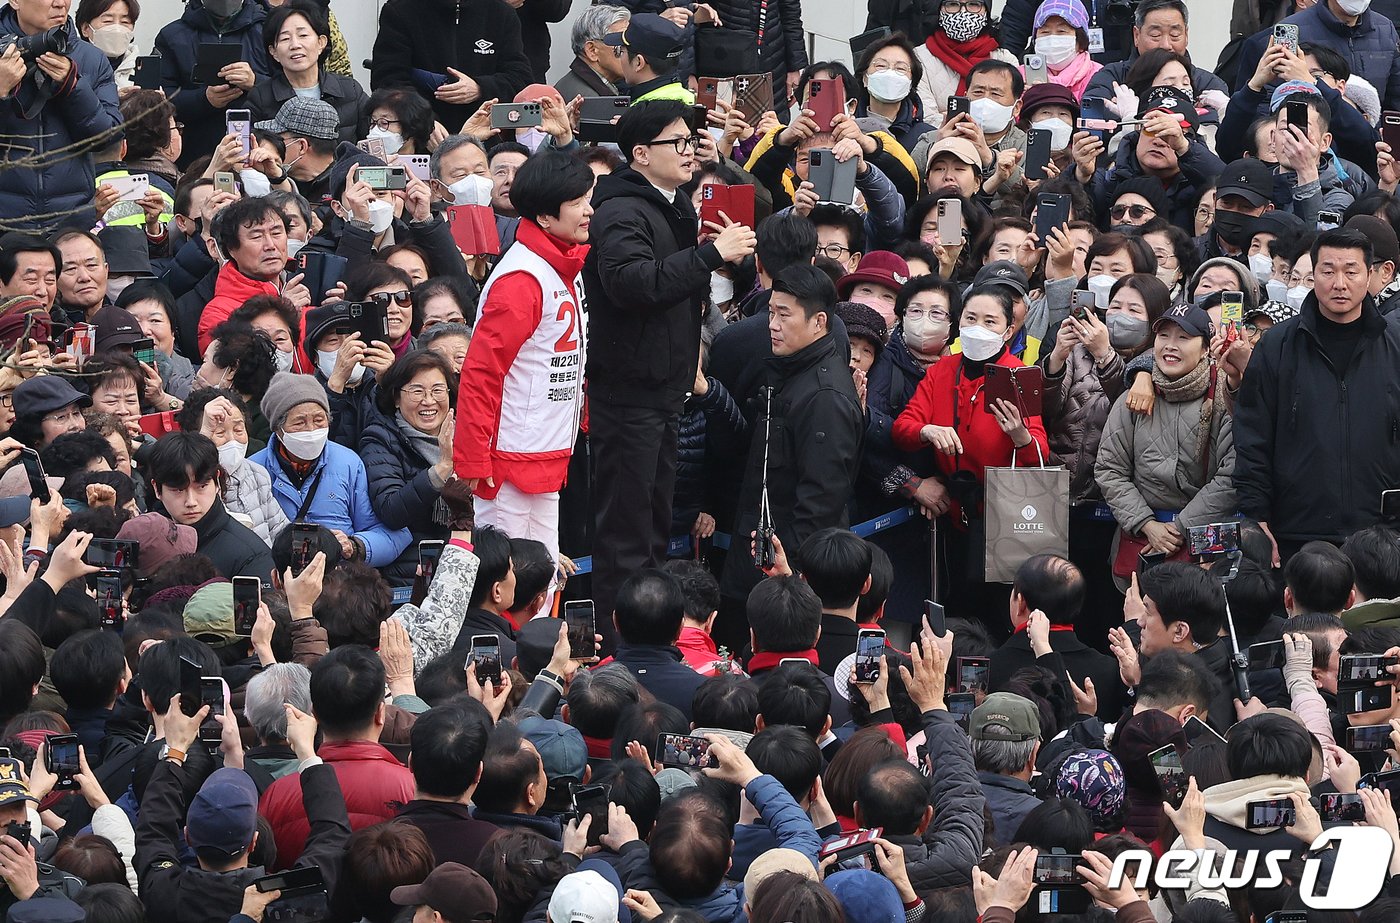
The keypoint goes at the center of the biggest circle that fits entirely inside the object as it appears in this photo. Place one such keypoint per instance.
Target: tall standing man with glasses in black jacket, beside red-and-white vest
(646, 279)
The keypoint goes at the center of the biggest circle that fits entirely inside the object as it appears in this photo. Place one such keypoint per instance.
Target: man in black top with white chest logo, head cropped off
(456, 55)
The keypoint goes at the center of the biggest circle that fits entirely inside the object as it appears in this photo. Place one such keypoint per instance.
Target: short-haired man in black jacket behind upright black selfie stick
(808, 453)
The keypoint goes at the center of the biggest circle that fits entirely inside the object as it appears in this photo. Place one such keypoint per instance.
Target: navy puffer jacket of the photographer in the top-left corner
(82, 109)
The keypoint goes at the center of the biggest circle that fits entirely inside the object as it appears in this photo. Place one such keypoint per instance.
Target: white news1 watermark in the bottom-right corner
(1360, 869)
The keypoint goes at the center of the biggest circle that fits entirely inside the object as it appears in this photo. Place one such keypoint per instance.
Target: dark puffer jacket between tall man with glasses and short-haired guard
(710, 428)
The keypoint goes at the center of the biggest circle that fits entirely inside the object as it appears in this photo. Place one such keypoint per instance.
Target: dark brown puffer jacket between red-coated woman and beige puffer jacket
(1076, 407)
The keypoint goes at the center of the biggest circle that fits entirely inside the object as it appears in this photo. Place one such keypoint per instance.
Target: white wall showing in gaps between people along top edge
(829, 25)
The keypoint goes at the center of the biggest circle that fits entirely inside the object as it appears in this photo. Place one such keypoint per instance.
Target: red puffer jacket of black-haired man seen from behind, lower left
(376, 786)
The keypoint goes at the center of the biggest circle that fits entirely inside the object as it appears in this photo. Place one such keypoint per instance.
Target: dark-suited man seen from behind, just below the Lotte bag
(1045, 602)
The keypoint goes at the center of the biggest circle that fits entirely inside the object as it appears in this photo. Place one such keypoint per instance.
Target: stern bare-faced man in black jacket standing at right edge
(1318, 415)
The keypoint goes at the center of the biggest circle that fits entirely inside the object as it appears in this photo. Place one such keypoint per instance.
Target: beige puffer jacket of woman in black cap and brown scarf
(1149, 463)
